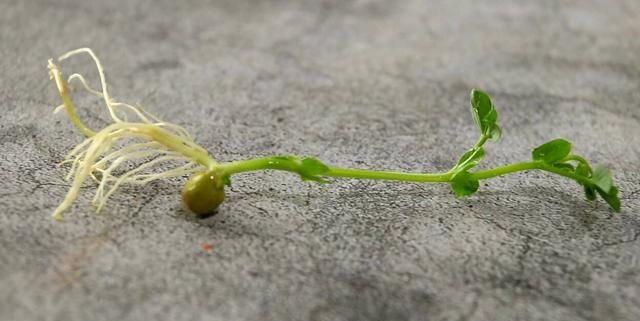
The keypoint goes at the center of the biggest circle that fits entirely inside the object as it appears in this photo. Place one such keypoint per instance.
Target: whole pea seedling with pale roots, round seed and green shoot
(159, 149)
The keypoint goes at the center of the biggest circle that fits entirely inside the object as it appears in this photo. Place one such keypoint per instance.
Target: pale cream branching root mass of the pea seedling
(97, 159)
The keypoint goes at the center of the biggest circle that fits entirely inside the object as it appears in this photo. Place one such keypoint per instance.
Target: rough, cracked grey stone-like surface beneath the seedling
(356, 83)
